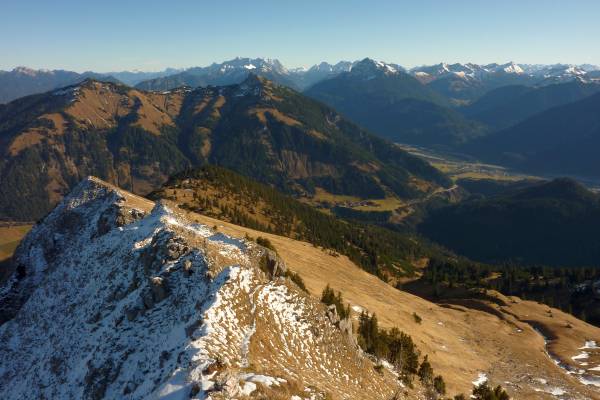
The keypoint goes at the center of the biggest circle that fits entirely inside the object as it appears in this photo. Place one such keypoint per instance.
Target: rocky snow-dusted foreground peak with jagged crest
(115, 297)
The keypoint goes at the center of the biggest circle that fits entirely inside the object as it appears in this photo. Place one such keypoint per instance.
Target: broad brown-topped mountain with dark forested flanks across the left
(137, 139)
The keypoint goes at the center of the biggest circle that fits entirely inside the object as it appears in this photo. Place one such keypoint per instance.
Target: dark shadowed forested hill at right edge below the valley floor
(549, 223)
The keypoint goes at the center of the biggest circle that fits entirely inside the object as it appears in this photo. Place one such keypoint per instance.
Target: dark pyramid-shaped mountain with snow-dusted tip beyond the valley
(395, 105)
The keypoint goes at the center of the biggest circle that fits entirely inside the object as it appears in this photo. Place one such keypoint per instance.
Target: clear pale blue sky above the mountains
(150, 35)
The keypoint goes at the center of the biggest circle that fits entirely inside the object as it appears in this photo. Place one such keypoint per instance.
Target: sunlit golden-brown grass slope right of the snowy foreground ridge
(461, 342)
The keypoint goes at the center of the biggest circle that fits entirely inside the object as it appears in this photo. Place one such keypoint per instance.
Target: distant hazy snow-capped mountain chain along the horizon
(460, 82)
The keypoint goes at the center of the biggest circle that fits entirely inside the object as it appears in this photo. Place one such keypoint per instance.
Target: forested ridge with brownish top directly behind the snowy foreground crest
(228, 196)
